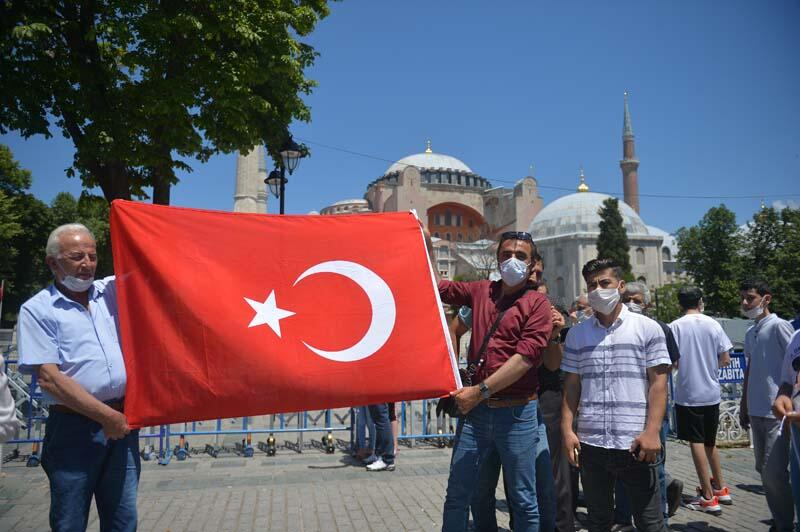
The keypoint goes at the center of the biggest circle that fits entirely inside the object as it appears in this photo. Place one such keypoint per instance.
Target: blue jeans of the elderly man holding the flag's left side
(82, 463)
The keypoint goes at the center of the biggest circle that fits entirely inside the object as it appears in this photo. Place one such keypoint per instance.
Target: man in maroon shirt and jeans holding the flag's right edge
(500, 407)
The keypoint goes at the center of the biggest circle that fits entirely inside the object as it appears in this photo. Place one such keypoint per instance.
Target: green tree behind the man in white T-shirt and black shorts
(711, 253)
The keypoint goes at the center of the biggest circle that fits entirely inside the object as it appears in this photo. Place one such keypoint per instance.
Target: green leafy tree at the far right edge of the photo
(772, 253)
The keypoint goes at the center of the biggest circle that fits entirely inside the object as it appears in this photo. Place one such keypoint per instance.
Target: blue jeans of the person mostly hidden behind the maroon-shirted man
(483, 502)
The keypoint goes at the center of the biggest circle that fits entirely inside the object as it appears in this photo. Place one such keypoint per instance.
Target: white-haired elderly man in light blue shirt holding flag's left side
(68, 338)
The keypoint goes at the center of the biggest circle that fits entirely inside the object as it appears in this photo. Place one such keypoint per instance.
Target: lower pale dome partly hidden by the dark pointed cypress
(579, 213)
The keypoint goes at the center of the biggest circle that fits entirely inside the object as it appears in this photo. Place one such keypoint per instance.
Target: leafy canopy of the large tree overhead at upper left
(143, 87)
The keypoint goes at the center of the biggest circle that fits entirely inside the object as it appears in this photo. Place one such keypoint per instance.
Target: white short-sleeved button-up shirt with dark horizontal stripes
(612, 365)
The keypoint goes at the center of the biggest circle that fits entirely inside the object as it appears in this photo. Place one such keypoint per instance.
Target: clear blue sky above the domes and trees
(502, 85)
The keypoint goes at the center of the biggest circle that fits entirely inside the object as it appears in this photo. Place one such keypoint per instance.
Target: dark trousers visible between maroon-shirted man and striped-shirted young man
(550, 407)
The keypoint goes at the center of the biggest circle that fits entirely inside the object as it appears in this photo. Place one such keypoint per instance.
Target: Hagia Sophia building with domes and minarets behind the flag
(466, 214)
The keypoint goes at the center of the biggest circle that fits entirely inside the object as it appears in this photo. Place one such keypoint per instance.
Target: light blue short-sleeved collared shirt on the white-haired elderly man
(84, 344)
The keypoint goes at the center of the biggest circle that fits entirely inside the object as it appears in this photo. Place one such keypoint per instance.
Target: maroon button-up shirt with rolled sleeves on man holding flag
(524, 329)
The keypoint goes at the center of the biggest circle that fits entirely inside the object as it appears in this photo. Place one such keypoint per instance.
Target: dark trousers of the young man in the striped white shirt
(600, 468)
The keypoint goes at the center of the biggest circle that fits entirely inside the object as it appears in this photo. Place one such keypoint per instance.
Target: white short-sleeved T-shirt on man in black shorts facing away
(701, 340)
